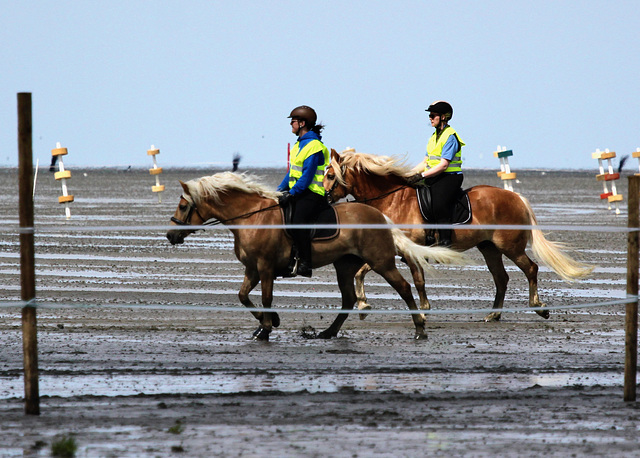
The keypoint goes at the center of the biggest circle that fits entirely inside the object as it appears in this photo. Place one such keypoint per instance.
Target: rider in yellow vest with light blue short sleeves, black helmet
(442, 167)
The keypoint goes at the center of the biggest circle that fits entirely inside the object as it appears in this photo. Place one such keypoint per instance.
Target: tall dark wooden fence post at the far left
(27, 256)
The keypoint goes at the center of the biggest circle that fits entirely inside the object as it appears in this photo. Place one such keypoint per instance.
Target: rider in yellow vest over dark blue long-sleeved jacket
(302, 186)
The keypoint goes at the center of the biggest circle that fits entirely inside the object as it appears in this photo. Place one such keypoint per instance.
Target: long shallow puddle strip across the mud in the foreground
(130, 385)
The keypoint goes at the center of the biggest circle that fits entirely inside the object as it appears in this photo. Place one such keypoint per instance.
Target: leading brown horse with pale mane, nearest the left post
(240, 200)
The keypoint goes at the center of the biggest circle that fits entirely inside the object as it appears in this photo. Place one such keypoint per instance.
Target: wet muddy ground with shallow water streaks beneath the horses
(121, 363)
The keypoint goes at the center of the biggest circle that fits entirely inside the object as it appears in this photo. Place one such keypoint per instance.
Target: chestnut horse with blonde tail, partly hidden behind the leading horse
(380, 181)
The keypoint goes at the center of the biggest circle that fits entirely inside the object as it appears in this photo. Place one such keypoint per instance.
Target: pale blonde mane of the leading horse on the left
(215, 185)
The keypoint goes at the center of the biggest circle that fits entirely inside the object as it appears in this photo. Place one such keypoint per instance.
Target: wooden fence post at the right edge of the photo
(631, 319)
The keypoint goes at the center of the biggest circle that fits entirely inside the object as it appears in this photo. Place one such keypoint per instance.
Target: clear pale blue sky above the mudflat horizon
(204, 80)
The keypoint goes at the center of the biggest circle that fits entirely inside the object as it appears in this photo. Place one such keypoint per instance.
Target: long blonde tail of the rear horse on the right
(551, 254)
